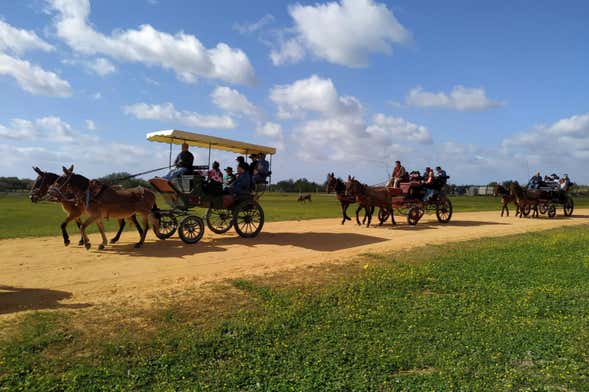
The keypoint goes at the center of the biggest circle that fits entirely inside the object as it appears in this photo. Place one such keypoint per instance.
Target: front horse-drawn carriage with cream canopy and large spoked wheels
(192, 190)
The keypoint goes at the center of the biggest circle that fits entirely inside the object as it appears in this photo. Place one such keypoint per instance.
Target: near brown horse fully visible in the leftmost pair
(103, 201)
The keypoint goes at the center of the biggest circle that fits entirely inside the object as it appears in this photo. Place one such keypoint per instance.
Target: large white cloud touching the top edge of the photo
(344, 32)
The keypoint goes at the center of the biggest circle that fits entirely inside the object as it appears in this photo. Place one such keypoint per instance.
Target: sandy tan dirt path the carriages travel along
(40, 273)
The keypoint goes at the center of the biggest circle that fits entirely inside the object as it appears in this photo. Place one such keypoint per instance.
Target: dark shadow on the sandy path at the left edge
(18, 299)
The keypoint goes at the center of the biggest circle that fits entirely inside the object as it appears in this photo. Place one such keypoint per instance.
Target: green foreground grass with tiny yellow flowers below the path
(499, 314)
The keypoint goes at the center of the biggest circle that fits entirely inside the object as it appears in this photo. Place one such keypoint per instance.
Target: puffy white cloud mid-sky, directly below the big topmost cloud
(312, 94)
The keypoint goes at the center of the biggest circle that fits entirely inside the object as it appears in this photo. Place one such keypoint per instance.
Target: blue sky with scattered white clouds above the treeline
(490, 91)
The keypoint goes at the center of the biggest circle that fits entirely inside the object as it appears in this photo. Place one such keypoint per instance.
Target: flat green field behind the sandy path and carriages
(20, 218)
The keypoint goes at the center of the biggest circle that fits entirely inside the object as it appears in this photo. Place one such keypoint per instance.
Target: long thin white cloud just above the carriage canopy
(167, 113)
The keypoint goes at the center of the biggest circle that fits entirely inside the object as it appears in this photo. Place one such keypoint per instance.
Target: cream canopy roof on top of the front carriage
(174, 136)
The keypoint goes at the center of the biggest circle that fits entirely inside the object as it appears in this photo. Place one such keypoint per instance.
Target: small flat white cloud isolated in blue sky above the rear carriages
(460, 98)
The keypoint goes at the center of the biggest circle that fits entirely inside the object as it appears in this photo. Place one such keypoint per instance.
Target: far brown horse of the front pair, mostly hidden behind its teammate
(73, 210)
